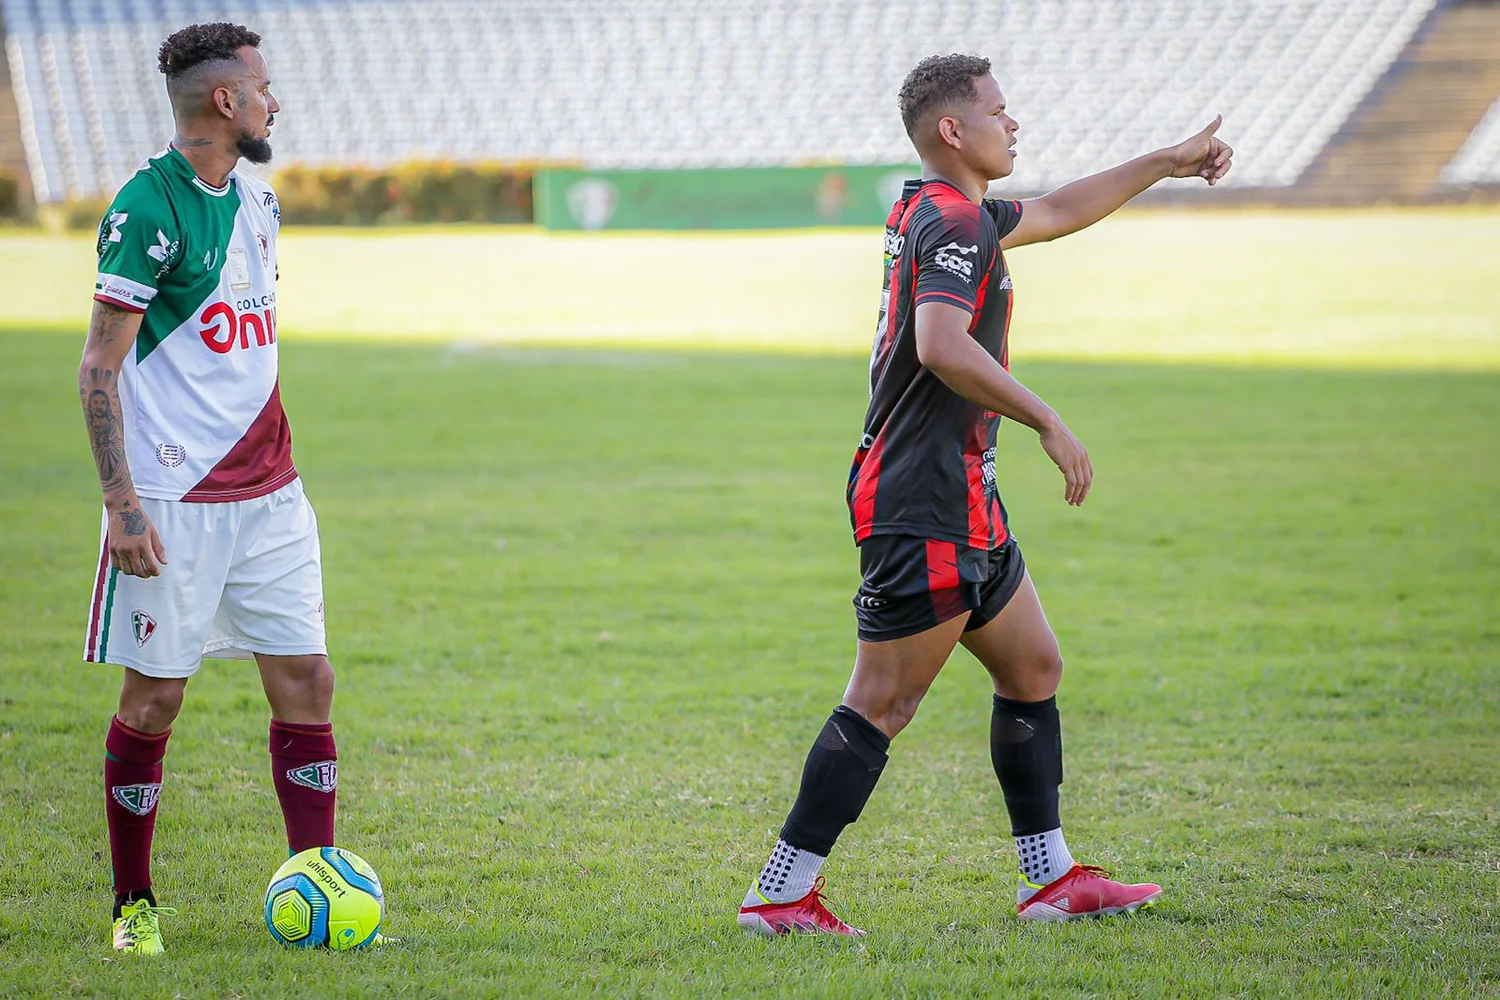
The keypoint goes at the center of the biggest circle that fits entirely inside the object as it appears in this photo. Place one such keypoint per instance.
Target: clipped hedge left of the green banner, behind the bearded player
(367, 197)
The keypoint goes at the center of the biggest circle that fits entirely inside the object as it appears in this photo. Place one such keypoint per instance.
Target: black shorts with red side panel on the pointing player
(917, 584)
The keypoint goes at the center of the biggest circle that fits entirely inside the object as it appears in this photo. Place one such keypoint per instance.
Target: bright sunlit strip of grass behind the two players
(1394, 289)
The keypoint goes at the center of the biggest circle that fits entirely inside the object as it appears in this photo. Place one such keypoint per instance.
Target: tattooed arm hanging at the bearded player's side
(134, 546)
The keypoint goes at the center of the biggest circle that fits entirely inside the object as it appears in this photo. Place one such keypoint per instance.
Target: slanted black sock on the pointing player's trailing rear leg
(838, 780)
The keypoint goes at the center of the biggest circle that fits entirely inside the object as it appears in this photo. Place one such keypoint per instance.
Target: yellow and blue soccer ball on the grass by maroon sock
(325, 897)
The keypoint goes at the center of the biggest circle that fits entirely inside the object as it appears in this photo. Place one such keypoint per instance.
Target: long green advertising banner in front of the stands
(742, 199)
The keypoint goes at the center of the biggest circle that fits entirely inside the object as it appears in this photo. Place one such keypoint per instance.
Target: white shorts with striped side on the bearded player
(241, 578)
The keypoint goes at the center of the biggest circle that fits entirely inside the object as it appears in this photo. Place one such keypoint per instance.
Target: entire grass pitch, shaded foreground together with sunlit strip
(589, 609)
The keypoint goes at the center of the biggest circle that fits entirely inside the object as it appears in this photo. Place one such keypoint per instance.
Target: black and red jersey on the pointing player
(926, 463)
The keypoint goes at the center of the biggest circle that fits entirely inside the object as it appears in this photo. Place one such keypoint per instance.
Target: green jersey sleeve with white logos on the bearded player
(140, 242)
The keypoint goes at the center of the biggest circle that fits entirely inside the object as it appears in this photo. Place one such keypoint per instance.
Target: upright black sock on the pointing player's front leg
(1027, 752)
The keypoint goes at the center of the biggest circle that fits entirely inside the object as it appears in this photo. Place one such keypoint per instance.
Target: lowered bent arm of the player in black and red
(947, 350)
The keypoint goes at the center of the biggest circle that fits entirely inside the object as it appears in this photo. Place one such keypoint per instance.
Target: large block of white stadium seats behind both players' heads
(673, 83)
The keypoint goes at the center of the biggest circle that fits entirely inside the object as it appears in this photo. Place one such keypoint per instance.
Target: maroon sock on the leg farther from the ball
(133, 785)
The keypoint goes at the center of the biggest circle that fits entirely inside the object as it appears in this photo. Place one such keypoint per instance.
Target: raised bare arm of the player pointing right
(1085, 202)
